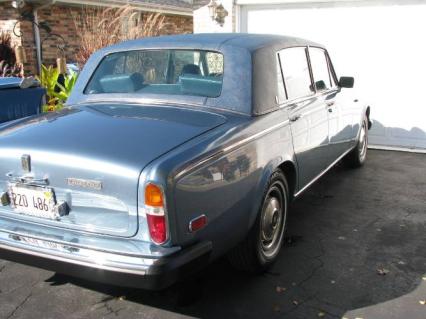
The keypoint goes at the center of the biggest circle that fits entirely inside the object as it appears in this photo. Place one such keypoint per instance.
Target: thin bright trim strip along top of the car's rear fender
(226, 149)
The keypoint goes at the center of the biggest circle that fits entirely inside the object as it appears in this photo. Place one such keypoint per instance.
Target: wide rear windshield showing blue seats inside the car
(179, 72)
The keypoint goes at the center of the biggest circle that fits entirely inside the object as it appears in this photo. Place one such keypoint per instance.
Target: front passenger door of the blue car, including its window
(338, 110)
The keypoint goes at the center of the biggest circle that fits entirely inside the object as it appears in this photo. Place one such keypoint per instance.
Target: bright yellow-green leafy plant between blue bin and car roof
(57, 93)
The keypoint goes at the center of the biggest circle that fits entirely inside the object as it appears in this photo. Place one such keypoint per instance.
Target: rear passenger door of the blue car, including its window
(307, 114)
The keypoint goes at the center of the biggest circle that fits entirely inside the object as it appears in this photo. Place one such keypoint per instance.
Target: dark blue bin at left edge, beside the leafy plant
(16, 102)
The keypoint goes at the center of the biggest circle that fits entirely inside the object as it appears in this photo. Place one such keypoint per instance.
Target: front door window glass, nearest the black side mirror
(320, 70)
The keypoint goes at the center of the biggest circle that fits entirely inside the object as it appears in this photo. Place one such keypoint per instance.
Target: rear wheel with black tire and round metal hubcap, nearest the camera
(254, 254)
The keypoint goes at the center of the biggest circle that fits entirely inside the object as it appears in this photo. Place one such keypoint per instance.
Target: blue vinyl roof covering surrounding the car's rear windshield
(250, 69)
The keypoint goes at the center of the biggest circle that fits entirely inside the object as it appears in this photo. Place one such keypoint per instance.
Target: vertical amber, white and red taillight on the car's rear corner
(155, 213)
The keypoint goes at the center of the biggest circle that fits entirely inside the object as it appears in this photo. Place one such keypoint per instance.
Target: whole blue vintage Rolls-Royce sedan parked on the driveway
(173, 151)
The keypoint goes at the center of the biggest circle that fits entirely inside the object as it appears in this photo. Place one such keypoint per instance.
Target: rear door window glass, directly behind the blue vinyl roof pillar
(295, 68)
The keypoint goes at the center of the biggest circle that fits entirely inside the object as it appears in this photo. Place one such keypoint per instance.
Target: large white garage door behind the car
(383, 47)
